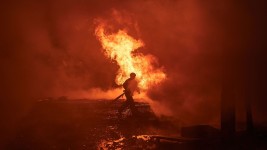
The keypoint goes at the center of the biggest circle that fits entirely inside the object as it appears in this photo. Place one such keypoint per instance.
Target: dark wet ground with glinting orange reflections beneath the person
(93, 124)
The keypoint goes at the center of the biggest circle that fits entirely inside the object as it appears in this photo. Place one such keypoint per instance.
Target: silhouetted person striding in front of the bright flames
(130, 86)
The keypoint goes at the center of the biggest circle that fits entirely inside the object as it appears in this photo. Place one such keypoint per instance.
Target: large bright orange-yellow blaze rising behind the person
(120, 47)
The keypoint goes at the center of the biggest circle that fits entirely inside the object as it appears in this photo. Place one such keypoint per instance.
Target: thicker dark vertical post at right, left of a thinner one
(228, 95)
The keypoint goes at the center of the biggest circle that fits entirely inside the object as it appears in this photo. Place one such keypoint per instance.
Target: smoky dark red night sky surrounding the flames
(48, 48)
